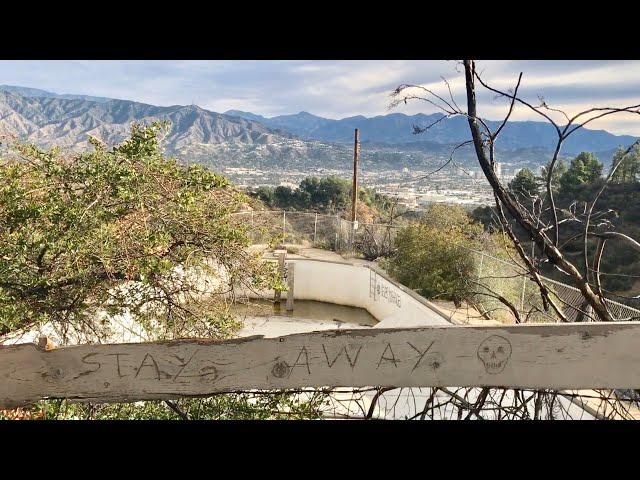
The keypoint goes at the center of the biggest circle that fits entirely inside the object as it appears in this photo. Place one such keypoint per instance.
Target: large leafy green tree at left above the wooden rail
(119, 231)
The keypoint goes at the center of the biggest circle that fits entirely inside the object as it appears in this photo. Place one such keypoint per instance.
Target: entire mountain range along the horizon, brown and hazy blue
(245, 139)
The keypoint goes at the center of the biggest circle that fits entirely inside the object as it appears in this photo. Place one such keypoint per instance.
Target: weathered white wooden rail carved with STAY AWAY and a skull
(568, 356)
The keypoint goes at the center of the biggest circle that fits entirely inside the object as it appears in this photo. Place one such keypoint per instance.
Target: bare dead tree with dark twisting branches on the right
(541, 222)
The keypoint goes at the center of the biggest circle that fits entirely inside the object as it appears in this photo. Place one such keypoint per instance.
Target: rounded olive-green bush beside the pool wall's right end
(433, 255)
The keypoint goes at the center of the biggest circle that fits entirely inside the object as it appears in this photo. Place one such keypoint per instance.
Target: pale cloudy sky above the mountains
(337, 88)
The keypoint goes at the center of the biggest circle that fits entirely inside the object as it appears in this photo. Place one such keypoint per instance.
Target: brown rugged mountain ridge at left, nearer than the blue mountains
(51, 121)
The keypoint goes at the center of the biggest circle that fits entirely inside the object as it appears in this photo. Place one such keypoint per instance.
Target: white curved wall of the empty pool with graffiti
(362, 286)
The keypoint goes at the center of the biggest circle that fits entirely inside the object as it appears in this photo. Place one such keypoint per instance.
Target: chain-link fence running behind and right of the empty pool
(495, 277)
